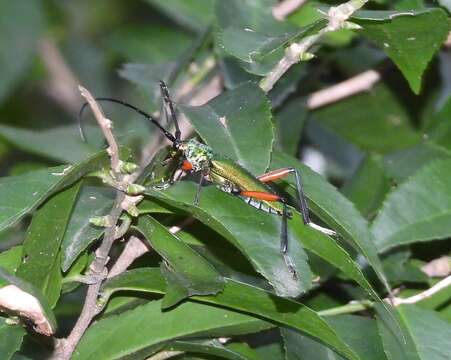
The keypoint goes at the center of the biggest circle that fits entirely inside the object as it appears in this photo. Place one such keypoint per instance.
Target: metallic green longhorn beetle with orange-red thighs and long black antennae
(226, 174)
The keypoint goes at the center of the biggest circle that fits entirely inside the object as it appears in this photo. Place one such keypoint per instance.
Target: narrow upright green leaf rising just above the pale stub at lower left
(41, 249)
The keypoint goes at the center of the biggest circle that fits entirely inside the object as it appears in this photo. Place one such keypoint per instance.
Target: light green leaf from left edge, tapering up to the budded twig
(22, 194)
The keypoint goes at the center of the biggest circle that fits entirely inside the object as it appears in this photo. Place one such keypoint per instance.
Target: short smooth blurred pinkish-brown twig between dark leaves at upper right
(357, 84)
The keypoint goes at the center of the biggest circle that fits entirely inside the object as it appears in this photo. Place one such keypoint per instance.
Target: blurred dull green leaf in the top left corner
(18, 39)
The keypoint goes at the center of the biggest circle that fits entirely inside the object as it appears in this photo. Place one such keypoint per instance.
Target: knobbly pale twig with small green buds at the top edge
(296, 52)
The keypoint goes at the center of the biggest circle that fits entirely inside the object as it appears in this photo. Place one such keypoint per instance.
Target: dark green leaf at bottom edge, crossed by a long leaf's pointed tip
(350, 327)
